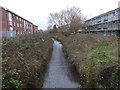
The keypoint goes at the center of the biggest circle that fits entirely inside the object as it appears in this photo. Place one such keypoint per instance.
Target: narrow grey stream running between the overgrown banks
(58, 73)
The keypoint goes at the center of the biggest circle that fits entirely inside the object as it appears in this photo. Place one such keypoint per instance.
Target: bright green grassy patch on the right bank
(100, 55)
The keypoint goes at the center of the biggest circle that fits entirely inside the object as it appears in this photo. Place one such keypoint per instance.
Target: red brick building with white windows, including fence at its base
(12, 24)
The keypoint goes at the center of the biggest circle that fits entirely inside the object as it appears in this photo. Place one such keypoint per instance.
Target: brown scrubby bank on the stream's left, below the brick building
(24, 60)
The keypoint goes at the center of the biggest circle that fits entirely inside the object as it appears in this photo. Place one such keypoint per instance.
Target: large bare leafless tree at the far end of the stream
(70, 18)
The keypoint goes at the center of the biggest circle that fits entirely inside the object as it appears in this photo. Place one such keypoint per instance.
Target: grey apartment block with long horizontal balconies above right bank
(106, 22)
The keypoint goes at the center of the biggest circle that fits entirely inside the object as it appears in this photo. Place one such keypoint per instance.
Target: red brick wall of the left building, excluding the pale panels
(17, 23)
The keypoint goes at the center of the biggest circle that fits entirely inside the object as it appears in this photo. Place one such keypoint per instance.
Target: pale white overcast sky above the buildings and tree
(37, 11)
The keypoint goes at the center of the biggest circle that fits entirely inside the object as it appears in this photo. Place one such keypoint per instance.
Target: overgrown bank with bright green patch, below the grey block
(95, 58)
